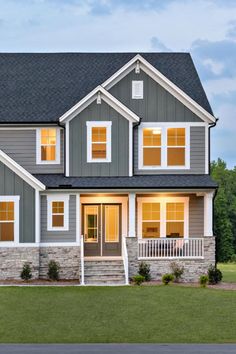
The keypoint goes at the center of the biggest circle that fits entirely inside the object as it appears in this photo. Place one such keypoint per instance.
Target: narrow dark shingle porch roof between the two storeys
(135, 182)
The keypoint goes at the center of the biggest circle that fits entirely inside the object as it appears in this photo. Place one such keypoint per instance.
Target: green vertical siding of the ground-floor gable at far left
(12, 184)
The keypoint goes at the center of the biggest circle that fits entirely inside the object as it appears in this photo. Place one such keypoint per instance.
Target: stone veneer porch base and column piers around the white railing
(193, 268)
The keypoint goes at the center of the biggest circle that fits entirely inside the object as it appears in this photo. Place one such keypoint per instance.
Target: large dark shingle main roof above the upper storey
(41, 87)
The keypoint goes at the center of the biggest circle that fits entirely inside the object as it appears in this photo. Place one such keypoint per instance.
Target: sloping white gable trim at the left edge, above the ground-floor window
(21, 172)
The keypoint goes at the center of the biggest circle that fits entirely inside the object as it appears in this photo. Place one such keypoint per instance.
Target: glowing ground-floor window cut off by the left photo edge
(7, 221)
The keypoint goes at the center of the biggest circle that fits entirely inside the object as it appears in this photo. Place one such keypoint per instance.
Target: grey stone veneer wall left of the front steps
(12, 260)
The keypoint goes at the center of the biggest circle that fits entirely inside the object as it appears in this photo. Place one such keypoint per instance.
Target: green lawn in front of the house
(154, 314)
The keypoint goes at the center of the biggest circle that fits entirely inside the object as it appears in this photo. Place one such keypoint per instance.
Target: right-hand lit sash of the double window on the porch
(174, 220)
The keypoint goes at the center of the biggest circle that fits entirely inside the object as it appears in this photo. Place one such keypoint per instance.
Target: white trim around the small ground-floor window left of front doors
(58, 198)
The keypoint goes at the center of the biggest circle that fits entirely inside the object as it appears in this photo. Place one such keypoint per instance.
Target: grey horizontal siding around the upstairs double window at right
(197, 155)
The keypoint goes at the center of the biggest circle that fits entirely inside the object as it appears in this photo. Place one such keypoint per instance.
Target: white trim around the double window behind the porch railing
(163, 202)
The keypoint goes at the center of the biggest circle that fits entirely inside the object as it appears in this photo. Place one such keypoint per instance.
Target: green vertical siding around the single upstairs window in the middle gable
(119, 165)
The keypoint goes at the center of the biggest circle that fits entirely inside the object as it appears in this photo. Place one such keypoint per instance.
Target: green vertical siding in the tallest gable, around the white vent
(157, 105)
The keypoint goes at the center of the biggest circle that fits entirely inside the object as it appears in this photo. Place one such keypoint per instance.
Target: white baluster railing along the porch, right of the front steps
(170, 248)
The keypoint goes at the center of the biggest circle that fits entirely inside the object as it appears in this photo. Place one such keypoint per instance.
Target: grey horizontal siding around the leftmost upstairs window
(20, 145)
